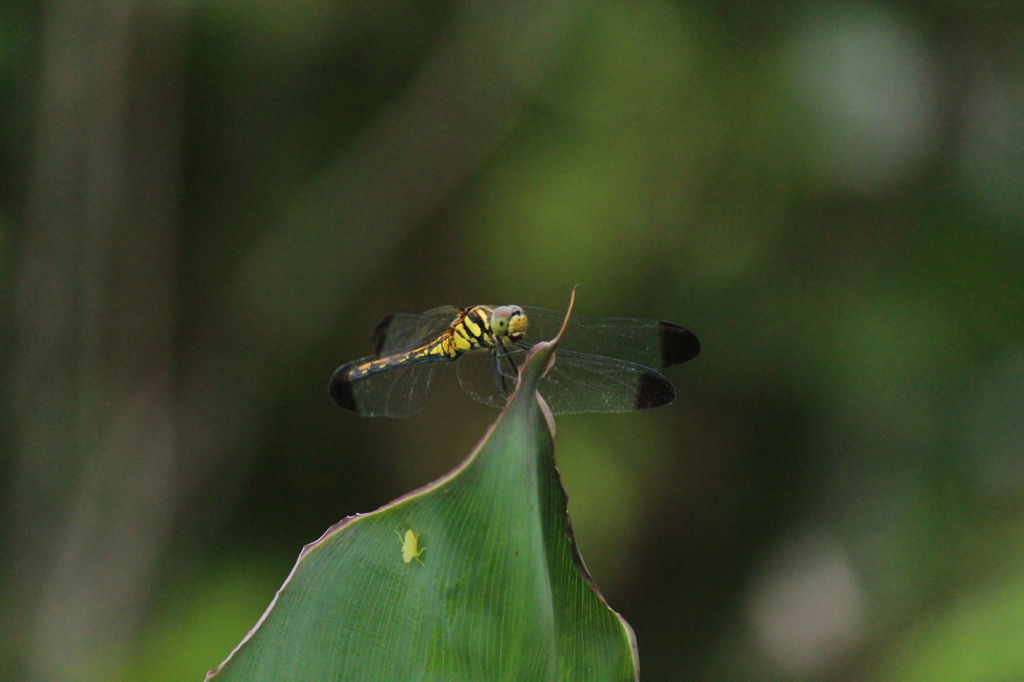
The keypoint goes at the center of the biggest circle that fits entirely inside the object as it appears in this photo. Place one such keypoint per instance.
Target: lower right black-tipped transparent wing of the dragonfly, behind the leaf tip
(578, 383)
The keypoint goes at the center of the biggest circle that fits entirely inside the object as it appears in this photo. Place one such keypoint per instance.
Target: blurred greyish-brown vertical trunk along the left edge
(92, 379)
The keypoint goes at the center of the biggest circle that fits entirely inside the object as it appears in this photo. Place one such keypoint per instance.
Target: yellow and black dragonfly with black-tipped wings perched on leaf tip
(604, 365)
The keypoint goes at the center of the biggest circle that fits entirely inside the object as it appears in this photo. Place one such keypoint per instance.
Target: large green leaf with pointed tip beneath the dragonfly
(499, 591)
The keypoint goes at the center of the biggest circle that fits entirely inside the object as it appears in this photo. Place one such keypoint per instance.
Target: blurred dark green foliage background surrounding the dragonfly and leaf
(206, 205)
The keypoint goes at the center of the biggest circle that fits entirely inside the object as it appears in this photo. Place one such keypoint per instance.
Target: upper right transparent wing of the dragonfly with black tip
(649, 343)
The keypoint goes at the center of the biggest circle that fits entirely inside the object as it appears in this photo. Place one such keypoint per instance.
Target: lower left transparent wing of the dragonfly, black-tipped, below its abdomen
(400, 392)
